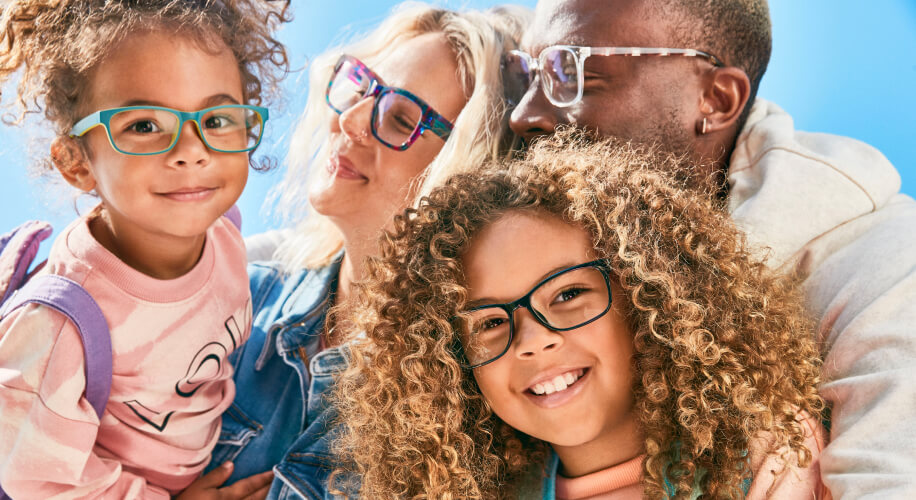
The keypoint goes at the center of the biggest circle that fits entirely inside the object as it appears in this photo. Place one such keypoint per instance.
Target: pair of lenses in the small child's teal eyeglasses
(150, 131)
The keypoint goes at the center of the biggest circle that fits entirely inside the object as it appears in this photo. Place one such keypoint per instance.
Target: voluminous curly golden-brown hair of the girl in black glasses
(723, 349)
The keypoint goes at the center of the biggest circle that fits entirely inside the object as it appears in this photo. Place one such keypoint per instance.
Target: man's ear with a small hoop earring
(726, 95)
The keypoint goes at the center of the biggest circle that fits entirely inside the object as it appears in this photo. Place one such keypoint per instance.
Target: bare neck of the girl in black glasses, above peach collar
(611, 448)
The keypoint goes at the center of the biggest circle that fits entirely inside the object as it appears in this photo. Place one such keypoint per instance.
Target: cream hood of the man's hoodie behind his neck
(787, 187)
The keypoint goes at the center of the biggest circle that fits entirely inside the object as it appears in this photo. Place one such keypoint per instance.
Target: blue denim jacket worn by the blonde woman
(280, 418)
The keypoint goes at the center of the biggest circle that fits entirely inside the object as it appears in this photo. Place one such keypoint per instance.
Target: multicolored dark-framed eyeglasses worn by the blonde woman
(398, 117)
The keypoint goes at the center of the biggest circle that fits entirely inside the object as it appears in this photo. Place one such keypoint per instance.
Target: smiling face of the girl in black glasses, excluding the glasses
(572, 389)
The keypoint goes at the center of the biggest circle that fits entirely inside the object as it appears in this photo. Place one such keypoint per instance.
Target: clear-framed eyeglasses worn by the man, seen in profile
(562, 87)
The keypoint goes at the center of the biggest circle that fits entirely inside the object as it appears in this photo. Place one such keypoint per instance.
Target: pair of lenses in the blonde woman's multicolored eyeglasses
(396, 117)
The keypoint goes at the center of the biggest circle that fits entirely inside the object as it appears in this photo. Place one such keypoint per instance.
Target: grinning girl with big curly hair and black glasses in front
(579, 309)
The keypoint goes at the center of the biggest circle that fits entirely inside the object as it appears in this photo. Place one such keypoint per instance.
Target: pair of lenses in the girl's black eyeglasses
(566, 301)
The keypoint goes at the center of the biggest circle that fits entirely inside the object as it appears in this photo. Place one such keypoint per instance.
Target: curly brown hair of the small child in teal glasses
(55, 44)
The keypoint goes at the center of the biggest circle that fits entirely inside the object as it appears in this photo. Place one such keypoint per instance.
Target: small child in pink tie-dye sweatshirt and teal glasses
(155, 108)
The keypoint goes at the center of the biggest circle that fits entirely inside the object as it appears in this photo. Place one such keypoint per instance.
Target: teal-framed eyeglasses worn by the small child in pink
(152, 130)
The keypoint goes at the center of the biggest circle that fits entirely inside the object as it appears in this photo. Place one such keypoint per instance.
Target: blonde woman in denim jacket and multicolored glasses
(388, 117)
